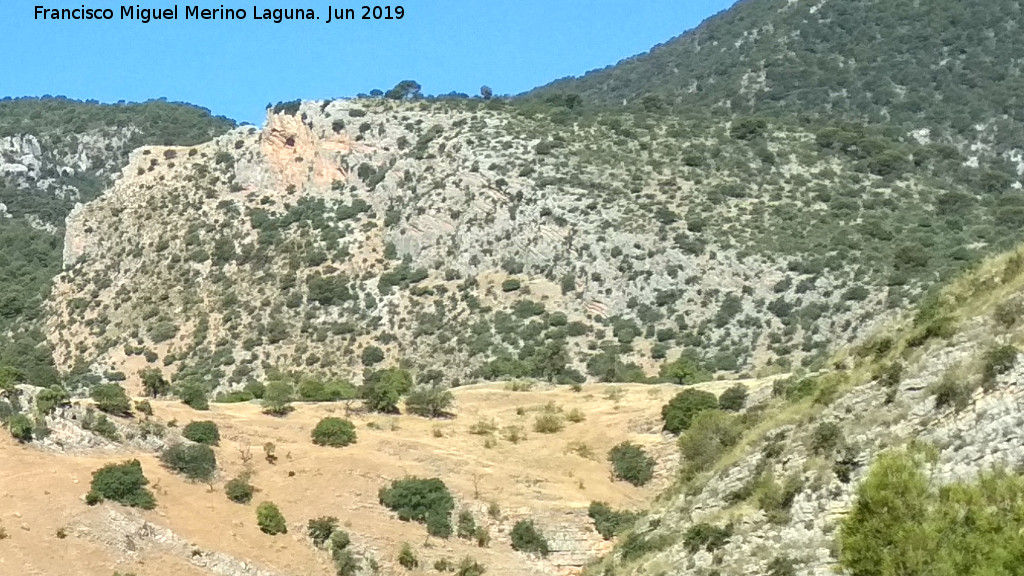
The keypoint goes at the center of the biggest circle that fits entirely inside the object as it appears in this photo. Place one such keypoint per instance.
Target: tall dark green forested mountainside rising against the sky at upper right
(949, 66)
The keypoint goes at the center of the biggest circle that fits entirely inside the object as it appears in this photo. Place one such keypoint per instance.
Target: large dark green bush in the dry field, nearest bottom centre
(423, 501)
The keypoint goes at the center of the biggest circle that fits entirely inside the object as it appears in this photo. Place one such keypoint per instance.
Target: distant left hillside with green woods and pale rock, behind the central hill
(56, 153)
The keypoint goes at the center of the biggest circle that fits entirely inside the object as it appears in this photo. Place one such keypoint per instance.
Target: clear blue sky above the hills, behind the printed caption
(236, 68)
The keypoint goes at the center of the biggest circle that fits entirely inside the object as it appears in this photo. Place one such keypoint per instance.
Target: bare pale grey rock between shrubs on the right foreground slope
(988, 435)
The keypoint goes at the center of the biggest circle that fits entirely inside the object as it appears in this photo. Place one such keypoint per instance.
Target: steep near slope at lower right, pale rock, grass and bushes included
(940, 396)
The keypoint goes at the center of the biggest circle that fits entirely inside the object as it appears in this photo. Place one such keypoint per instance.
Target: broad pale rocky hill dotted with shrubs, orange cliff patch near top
(483, 240)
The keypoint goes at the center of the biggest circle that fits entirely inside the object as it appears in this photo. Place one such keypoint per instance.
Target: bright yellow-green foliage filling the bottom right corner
(901, 524)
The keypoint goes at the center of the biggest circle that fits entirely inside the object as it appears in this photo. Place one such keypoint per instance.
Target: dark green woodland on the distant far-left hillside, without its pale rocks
(32, 257)
